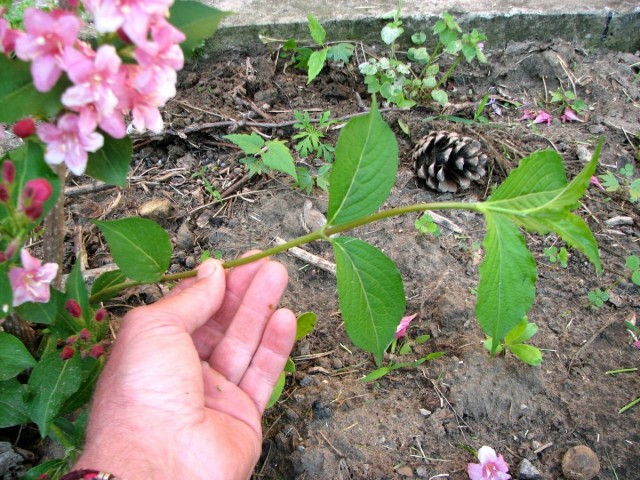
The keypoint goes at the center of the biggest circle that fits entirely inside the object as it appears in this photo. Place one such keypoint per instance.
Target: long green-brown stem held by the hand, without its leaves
(323, 233)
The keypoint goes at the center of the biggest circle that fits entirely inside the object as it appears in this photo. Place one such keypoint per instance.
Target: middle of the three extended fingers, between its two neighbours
(235, 350)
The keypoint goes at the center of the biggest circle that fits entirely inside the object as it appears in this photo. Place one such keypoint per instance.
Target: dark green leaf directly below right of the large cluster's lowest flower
(111, 163)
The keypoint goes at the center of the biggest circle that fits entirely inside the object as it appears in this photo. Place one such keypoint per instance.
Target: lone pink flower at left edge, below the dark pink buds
(30, 283)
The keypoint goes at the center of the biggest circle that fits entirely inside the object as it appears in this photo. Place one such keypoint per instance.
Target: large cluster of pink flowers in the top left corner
(105, 88)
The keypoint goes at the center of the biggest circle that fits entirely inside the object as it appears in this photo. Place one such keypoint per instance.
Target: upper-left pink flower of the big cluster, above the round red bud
(47, 35)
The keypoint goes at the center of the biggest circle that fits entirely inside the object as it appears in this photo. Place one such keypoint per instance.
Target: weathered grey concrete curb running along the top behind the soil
(615, 26)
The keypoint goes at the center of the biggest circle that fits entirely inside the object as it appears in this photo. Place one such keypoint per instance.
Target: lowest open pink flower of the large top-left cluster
(69, 141)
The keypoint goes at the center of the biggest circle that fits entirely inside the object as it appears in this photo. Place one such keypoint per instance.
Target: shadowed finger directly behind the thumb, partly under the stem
(238, 281)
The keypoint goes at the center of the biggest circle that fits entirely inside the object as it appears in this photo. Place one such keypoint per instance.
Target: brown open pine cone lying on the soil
(447, 161)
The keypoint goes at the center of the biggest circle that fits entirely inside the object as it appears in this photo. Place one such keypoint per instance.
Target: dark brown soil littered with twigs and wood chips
(413, 422)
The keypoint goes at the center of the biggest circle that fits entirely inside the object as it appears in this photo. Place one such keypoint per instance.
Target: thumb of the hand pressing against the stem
(191, 307)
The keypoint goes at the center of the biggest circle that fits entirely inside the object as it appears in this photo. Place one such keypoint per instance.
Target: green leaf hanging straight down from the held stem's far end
(507, 278)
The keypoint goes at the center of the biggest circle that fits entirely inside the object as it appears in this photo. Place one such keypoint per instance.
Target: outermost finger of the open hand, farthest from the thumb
(270, 358)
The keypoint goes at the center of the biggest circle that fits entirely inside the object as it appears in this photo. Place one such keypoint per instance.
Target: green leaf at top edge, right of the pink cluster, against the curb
(197, 21)
